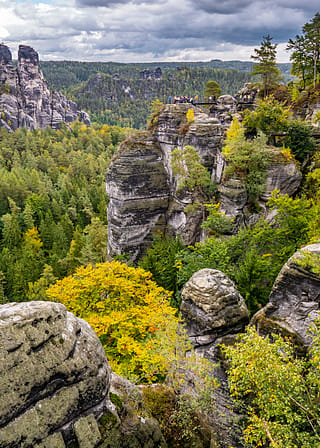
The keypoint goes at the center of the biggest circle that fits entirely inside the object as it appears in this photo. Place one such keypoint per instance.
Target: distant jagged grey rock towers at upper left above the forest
(25, 98)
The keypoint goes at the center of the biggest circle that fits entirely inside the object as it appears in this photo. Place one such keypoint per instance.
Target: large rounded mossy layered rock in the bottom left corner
(54, 379)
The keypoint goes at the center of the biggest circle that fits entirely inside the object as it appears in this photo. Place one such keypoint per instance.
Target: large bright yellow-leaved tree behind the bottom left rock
(129, 312)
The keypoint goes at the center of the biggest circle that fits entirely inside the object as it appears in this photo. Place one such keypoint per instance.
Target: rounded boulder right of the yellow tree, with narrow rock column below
(214, 313)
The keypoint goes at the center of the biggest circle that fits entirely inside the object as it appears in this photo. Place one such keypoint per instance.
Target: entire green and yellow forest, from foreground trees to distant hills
(53, 235)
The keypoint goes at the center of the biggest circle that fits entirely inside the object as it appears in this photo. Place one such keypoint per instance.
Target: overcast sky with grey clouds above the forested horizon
(151, 30)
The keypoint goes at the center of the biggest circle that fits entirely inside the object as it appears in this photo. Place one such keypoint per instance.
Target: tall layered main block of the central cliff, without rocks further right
(142, 189)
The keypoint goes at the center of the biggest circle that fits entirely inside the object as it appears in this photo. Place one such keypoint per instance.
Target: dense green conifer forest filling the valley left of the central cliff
(52, 204)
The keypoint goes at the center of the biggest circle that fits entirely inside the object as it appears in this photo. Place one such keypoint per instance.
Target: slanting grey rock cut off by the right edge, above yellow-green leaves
(294, 301)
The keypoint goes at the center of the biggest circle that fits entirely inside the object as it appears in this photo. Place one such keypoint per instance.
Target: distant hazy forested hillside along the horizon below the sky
(122, 94)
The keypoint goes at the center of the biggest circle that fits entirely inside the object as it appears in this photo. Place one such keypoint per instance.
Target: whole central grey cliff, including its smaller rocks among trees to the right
(143, 194)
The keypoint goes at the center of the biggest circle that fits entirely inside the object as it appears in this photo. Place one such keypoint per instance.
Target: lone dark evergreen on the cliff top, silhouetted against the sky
(266, 65)
